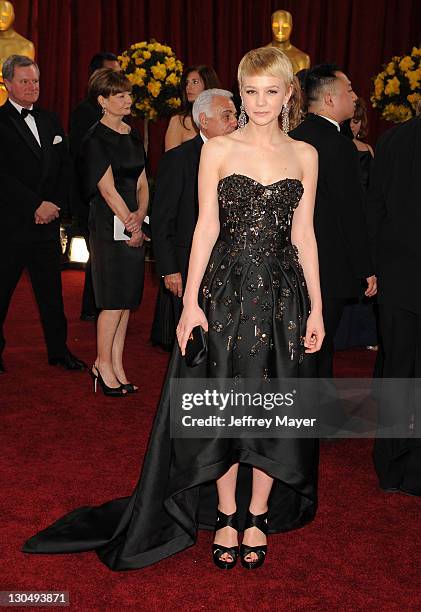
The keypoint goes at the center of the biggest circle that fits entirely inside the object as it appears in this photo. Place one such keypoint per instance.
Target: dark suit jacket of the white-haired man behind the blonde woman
(175, 207)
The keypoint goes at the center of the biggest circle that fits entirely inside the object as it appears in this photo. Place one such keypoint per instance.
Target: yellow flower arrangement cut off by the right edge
(397, 88)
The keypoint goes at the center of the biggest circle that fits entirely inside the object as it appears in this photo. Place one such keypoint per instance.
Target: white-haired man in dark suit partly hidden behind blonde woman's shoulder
(175, 208)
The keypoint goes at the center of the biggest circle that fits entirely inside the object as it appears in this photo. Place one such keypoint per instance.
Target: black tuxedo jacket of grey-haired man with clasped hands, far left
(30, 174)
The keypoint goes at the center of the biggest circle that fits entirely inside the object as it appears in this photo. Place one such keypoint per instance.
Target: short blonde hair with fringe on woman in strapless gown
(266, 60)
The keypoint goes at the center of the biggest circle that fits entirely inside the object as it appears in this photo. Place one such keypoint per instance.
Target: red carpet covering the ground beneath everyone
(62, 447)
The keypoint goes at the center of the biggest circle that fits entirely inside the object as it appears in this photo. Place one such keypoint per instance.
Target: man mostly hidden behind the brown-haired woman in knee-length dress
(82, 118)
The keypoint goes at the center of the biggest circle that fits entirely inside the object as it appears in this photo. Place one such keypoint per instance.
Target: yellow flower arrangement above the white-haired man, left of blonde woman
(155, 73)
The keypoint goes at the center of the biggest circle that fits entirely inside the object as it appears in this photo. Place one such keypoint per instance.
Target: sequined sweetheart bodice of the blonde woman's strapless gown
(255, 217)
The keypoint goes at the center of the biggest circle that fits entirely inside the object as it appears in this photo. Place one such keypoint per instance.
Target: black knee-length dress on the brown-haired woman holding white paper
(117, 269)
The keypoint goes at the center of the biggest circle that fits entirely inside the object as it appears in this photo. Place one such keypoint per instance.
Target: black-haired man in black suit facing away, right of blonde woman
(339, 222)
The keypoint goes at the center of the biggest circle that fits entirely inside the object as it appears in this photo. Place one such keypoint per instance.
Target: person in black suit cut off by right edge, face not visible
(394, 215)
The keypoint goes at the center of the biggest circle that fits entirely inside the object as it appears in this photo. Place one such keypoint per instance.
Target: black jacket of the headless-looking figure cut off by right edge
(394, 215)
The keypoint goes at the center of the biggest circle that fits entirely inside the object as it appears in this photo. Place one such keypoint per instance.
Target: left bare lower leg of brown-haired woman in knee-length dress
(108, 323)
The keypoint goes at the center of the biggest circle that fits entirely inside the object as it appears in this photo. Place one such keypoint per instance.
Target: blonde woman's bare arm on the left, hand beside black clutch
(204, 238)
